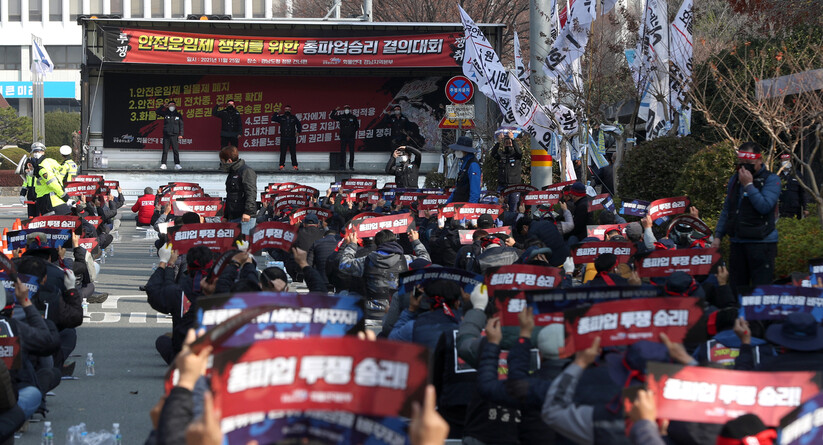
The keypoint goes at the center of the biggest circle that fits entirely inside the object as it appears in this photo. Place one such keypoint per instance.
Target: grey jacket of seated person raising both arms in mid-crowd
(381, 268)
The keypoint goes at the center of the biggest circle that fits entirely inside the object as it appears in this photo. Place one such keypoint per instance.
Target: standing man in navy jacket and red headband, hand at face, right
(749, 218)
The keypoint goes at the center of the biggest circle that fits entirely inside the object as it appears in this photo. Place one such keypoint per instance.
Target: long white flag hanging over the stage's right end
(482, 65)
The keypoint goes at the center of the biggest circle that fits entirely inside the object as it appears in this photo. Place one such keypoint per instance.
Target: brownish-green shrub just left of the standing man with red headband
(705, 178)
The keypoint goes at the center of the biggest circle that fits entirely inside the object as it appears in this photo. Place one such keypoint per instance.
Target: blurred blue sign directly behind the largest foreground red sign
(295, 315)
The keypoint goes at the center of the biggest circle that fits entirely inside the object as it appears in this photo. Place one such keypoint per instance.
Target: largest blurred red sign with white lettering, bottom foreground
(379, 378)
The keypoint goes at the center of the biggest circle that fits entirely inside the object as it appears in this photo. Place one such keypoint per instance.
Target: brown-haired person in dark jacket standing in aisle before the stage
(241, 188)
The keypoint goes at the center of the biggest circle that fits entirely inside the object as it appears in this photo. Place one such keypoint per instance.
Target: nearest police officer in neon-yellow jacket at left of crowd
(50, 198)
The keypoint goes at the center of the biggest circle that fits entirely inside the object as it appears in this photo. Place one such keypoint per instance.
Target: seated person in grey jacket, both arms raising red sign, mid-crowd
(380, 269)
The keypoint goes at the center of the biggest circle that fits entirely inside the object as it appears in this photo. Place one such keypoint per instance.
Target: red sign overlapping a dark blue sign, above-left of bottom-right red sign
(619, 323)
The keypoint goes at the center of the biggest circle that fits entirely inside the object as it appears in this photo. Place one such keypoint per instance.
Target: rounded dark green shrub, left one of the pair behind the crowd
(651, 170)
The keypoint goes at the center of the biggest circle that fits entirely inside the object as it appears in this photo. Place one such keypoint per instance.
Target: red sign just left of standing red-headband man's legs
(661, 263)
